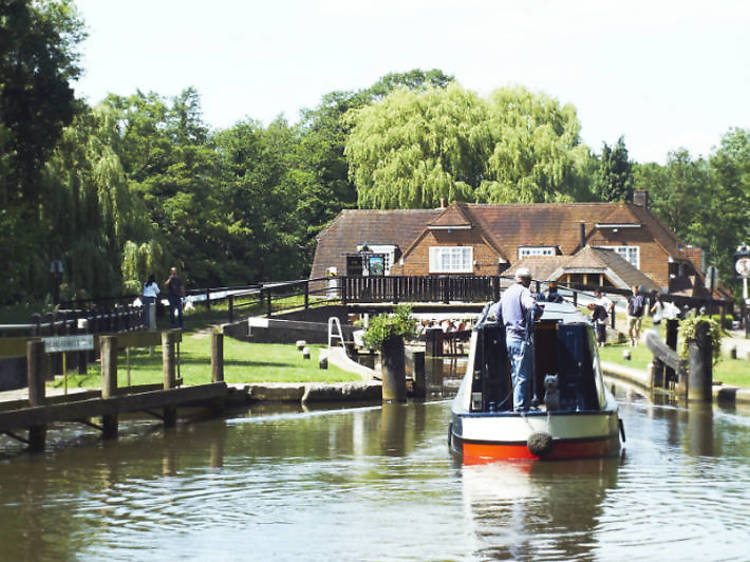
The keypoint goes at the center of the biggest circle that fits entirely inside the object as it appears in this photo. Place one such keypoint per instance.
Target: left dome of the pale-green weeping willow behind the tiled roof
(415, 147)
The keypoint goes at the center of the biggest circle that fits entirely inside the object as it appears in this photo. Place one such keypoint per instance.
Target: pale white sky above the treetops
(664, 74)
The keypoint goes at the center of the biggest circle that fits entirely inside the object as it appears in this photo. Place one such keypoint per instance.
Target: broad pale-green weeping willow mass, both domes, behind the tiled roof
(415, 147)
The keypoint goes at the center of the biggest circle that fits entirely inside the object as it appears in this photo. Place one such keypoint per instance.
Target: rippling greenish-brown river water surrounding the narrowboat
(378, 483)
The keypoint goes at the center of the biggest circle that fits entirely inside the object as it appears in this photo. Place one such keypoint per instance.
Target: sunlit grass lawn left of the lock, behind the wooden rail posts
(243, 362)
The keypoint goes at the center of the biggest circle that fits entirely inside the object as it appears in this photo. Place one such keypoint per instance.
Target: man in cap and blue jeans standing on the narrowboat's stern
(516, 305)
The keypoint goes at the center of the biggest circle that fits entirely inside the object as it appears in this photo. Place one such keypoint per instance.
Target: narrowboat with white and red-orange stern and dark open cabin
(573, 414)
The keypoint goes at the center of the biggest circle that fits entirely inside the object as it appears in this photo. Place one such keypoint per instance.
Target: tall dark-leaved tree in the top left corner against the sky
(38, 59)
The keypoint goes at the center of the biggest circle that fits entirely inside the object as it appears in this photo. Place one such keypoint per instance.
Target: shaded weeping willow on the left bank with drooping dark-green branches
(94, 219)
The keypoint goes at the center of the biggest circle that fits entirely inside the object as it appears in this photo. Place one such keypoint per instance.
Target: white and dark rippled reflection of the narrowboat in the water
(536, 511)
